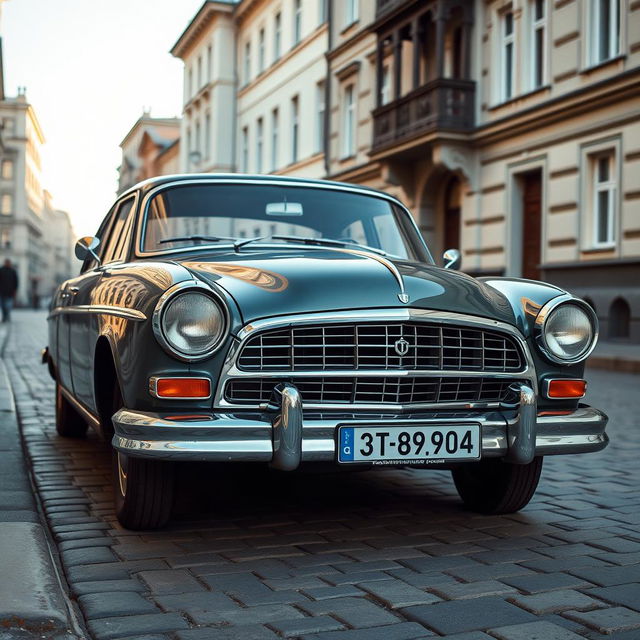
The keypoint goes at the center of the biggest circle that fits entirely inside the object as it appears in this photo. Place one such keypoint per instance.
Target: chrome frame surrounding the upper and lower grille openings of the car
(231, 371)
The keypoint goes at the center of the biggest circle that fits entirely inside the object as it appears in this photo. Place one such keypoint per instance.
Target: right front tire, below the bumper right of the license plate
(495, 487)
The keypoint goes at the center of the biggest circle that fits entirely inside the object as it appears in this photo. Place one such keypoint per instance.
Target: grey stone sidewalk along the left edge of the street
(32, 601)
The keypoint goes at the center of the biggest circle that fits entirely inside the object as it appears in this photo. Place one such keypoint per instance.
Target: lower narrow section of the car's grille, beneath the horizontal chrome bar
(376, 390)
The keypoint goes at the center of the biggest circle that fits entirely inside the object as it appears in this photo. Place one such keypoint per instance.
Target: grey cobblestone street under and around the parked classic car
(379, 555)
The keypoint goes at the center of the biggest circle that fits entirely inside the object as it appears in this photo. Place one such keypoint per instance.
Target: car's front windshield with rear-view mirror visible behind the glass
(215, 214)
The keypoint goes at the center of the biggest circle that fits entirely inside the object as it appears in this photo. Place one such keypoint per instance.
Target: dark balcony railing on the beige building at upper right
(446, 104)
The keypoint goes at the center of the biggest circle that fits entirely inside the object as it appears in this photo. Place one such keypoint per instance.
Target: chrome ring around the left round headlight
(169, 295)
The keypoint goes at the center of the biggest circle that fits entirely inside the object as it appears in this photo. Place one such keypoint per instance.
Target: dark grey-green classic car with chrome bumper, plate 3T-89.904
(293, 322)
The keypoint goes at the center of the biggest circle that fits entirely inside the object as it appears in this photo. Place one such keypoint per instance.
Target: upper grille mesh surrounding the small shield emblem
(373, 346)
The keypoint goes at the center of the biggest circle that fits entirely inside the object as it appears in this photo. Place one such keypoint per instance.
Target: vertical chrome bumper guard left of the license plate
(287, 428)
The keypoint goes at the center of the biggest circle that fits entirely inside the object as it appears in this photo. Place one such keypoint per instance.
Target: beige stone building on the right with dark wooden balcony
(512, 130)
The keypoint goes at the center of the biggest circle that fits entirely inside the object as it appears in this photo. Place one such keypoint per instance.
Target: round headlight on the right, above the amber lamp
(568, 332)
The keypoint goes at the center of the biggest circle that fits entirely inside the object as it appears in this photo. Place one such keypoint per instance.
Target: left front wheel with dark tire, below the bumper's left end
(143, 491)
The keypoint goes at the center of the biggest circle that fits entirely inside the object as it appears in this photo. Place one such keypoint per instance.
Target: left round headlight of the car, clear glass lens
(191, 324)
